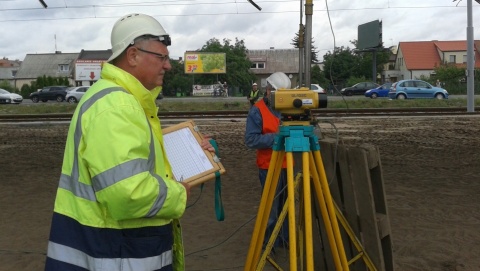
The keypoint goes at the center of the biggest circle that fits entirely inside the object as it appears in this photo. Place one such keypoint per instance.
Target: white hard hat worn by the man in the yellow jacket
(132, 26)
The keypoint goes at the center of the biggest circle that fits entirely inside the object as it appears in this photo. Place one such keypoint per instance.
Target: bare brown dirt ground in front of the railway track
(431, 168)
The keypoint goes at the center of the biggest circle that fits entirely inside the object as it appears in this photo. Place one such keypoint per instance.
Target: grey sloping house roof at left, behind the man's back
(35, 65)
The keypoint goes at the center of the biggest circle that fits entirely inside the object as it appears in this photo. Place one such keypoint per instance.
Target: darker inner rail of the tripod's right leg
(325, 215)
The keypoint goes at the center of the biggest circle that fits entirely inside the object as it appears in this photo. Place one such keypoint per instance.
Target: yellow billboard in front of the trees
(202, 62)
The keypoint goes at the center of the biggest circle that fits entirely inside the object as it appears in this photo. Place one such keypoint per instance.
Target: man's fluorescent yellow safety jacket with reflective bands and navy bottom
(117, 197)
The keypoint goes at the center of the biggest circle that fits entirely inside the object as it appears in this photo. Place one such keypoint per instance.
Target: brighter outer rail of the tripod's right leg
(330, 207)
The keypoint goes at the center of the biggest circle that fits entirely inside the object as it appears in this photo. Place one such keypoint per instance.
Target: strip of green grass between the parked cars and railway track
(172, 106)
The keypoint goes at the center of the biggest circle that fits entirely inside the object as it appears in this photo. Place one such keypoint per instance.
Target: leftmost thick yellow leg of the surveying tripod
(264, 208)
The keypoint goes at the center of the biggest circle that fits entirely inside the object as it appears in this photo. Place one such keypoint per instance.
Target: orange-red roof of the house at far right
(425, 55)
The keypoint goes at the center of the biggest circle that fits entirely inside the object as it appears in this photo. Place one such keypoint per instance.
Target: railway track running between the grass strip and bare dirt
(59, 117)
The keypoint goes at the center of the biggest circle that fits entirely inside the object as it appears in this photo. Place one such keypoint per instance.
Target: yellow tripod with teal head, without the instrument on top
(297, 136)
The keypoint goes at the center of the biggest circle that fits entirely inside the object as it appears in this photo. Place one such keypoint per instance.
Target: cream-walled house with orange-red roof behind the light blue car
(417, 58)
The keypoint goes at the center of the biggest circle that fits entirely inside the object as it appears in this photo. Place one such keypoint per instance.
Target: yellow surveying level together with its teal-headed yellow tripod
(296, 135)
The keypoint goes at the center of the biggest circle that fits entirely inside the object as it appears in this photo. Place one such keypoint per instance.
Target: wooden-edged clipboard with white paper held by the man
(190, 163)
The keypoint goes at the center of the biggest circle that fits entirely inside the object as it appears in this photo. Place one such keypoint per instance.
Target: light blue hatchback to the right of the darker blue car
(411, 89)
